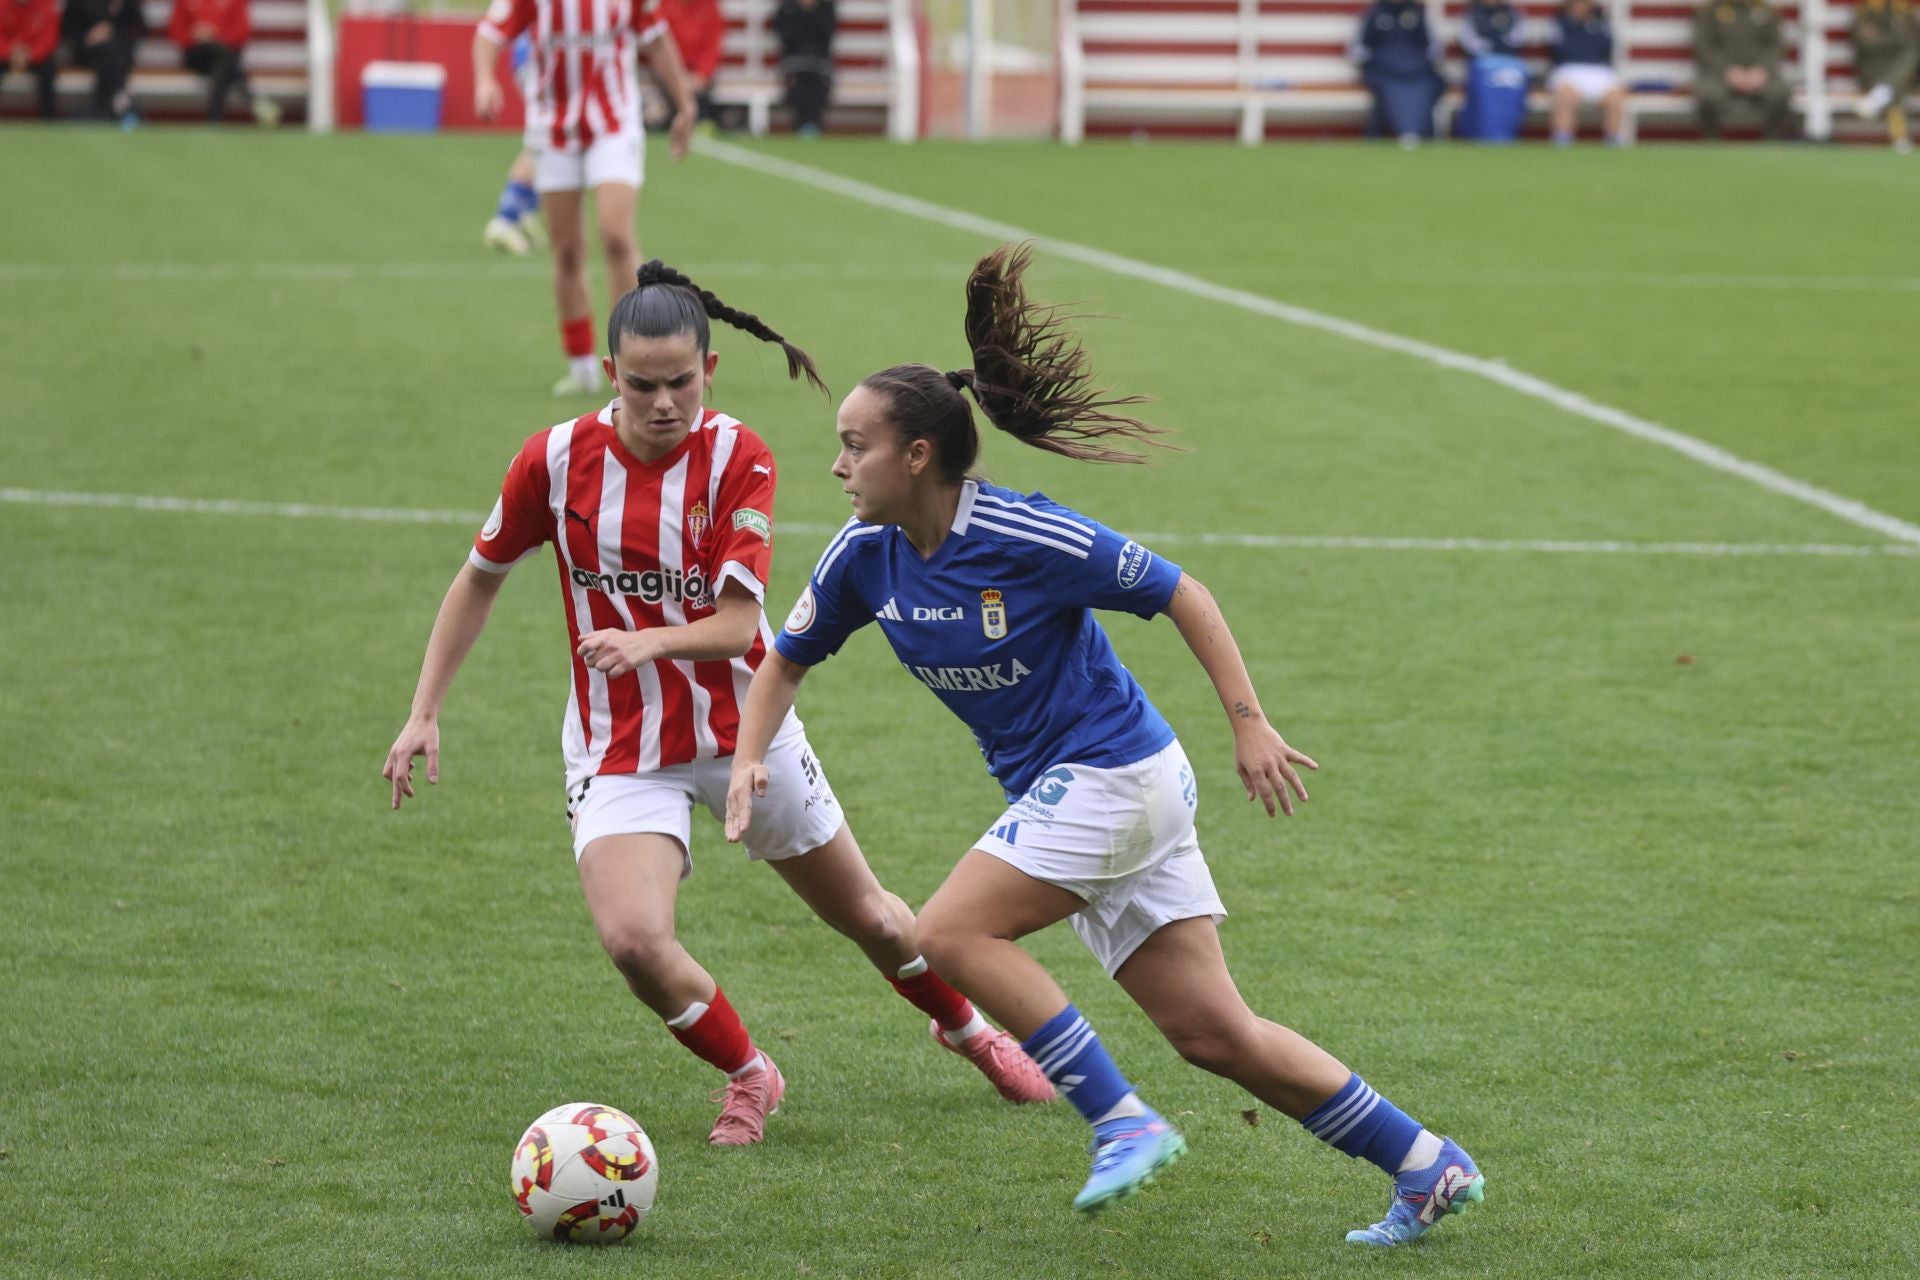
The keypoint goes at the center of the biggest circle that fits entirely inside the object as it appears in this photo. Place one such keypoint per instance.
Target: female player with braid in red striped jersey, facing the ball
(661, 515)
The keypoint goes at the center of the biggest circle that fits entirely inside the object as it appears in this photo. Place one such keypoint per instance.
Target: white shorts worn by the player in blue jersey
(1122, 841)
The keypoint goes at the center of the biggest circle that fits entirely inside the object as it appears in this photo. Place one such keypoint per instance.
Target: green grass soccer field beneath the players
(1610, 868)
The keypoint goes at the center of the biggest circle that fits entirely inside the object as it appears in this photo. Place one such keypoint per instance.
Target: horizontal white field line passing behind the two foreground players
(473, 519)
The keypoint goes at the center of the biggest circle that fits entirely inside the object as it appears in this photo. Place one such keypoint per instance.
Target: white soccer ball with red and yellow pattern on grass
(585, 1173)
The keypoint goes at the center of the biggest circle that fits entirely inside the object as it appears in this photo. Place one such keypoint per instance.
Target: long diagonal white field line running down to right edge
(1491, 371)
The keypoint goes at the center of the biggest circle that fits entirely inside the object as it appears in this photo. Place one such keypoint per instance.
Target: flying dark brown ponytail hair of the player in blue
(1030, 377)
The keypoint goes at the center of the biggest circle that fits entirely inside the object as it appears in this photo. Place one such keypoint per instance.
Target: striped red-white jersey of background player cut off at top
(583, 62)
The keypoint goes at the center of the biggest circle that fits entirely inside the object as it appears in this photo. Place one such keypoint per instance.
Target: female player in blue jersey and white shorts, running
(986, 596)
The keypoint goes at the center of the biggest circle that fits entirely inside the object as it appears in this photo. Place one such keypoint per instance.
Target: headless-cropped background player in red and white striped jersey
(587, 97)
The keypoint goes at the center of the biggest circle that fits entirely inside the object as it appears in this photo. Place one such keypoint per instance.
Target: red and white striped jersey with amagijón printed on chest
(642, 546)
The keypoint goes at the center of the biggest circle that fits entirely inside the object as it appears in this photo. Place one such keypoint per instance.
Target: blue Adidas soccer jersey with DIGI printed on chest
(997, 627)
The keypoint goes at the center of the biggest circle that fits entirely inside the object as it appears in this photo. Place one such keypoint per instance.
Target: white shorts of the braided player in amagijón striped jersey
(796, 817)
